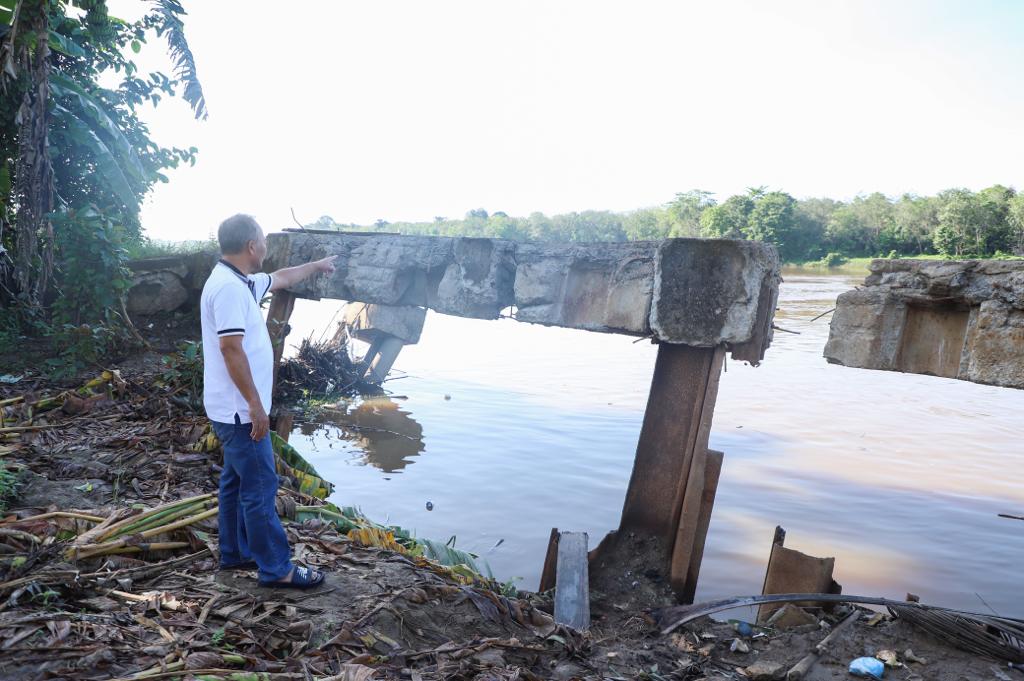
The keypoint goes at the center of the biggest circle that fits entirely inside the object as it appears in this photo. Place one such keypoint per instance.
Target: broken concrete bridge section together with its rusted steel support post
(698, 300)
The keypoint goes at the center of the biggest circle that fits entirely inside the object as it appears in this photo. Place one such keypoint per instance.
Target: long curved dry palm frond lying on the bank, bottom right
(1002, 639)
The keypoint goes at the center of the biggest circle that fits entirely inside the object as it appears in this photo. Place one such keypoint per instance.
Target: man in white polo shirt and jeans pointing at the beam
(238, 378)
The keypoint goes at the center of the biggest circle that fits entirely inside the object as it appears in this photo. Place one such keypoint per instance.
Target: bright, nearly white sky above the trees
(407, 111)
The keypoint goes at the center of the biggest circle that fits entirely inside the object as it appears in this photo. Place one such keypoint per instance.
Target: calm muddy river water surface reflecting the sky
(509, 430)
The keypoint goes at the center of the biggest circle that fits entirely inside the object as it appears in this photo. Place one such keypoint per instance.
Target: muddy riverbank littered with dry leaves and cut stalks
(153, 605)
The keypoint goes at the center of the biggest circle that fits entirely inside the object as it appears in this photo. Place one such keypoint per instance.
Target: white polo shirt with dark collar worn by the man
(230, 308)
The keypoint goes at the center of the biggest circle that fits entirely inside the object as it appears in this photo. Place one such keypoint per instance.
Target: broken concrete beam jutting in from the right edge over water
(962, 319)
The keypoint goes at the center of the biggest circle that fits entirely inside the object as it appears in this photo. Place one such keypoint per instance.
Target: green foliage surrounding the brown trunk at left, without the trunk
(104, 163)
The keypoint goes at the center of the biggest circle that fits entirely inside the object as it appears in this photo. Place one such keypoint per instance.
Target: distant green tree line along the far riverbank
(956, 223)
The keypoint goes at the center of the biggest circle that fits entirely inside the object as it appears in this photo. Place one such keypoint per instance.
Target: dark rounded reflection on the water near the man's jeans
(387, 437)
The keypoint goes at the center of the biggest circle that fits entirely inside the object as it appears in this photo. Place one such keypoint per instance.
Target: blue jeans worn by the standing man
(250, 529)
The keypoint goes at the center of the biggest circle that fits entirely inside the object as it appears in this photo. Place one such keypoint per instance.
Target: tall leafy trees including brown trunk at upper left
(67, 143)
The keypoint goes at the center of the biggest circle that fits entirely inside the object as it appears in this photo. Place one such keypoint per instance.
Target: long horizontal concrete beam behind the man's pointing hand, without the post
(702, 293)
